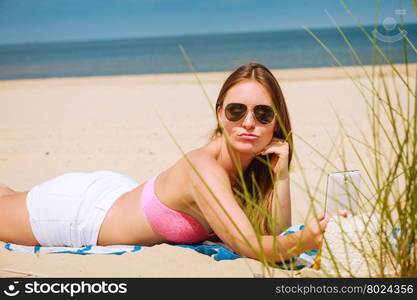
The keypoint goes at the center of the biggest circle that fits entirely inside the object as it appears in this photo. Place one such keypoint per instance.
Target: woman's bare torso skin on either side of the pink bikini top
(126, 223)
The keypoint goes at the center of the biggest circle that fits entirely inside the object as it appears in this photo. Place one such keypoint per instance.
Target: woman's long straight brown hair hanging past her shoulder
(258, 179)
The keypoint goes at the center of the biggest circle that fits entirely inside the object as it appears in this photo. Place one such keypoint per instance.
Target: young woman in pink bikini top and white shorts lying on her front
(235, 187)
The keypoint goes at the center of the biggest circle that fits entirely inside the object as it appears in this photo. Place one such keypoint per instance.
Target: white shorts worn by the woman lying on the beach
(68, 210)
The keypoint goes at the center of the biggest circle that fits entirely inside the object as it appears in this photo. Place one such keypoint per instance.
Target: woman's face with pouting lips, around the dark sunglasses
(250, 93)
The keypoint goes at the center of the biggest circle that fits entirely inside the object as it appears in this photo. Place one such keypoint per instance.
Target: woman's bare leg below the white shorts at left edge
(14, 218)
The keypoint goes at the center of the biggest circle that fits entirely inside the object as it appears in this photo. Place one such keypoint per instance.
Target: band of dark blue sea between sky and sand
(208, 52)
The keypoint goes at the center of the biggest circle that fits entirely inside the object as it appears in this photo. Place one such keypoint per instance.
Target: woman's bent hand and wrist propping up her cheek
(279, 161)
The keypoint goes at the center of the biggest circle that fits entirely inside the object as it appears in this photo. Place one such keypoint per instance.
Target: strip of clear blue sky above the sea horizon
(57, 20)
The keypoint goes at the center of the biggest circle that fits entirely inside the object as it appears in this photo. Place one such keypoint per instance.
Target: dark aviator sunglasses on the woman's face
(236, 111)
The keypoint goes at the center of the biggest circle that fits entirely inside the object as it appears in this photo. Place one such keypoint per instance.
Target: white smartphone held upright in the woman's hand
(342, 192)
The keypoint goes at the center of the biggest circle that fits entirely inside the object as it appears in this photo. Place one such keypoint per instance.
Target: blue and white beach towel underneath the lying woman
(216, 250)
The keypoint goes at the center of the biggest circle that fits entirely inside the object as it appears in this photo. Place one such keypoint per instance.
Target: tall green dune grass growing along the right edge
(391, 165)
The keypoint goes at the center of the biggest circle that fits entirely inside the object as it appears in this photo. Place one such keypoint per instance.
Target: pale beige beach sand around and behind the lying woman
(52, 126)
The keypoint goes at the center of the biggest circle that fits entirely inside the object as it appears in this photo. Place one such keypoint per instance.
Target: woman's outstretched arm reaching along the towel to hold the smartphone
(210, 187)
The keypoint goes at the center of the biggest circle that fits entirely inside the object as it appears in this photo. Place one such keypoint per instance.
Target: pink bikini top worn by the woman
(175, 226)
